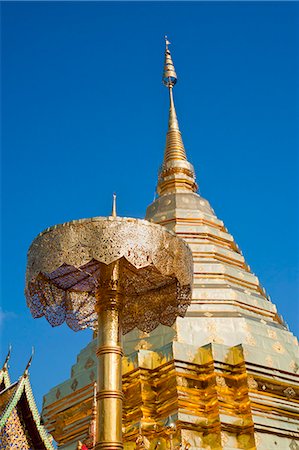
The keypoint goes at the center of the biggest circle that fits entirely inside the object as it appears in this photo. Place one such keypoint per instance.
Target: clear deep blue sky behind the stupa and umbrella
(84, 114)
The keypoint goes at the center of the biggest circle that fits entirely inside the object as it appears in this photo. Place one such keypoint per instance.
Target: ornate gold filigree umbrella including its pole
(114, 274)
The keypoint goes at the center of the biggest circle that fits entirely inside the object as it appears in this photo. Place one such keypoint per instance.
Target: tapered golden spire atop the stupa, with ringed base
(177, 174)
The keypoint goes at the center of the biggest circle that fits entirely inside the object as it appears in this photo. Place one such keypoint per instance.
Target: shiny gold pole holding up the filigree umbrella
(109, 353)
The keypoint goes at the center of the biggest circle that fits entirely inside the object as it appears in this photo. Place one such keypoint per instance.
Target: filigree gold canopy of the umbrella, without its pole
(66, 264)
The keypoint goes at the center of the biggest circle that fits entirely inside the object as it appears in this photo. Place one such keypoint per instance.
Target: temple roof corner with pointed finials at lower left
(20, 426)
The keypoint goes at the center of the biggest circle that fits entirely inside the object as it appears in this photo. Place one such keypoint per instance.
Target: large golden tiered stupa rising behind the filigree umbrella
(225, 376)
